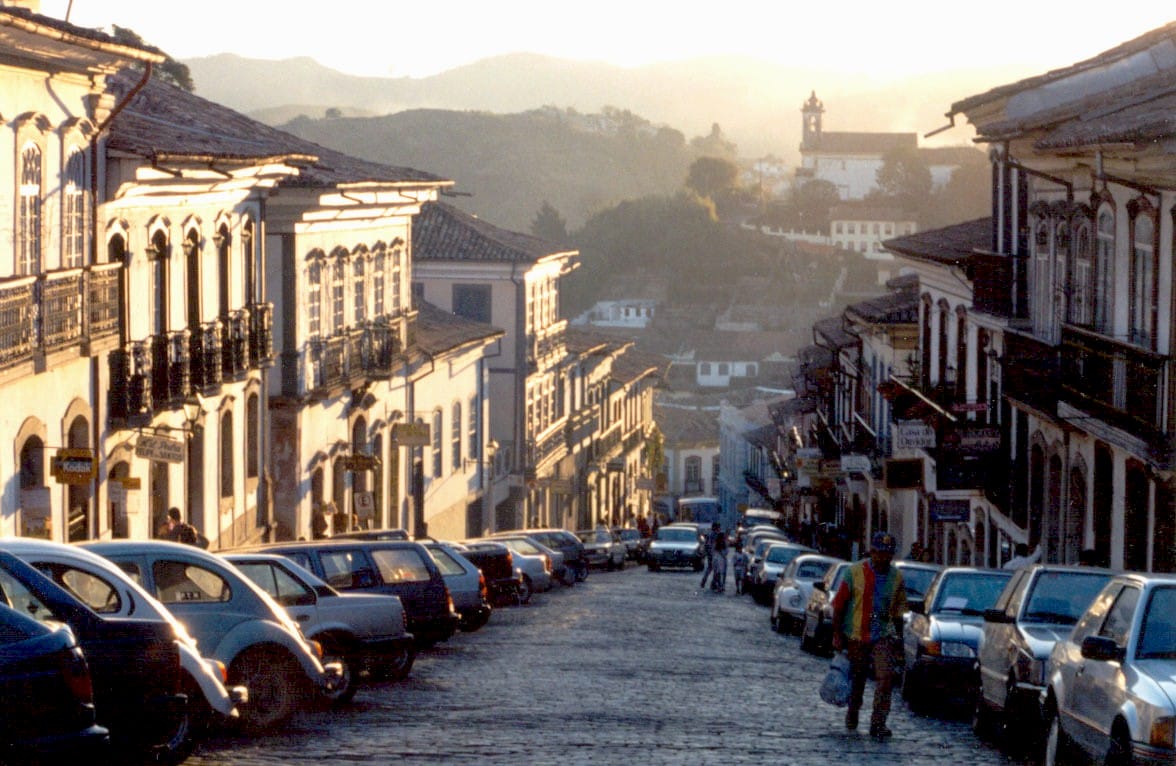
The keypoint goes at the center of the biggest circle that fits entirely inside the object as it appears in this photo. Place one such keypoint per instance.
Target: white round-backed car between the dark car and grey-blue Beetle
(106, 589)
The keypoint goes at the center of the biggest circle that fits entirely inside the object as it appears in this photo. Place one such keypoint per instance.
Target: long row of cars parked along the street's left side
(148, 645)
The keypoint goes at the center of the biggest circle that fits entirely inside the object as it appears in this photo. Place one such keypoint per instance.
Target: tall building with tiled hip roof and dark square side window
(512, 281)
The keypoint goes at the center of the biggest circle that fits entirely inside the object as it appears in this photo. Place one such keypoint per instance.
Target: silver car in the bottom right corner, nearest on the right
(1112, 694)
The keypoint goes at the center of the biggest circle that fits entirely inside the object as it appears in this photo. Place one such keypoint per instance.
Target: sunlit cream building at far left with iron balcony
(62, 289)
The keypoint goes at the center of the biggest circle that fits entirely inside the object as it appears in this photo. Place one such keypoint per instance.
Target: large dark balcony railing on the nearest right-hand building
(1115, 382)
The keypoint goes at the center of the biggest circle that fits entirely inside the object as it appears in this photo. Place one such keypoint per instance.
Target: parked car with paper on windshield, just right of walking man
(940, 640)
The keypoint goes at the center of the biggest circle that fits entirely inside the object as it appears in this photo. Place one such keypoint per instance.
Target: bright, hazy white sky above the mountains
(418, 38)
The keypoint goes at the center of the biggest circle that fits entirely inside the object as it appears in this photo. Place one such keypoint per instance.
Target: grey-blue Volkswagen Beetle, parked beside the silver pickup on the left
(233, 622)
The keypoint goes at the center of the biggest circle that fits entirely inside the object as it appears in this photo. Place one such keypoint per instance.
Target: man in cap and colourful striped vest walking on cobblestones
(867, 623)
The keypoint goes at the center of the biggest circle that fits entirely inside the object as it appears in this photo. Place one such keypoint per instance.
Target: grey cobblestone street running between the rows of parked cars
(630, 668)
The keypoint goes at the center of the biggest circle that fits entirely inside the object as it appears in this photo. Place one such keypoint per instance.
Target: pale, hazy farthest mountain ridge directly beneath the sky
(757, 104)
